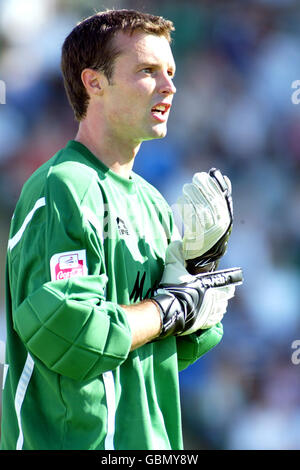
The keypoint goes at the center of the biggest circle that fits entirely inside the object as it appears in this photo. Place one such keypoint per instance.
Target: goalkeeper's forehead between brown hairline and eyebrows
(141, 47)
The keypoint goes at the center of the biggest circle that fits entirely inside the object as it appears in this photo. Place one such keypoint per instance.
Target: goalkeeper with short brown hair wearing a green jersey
(93, 348)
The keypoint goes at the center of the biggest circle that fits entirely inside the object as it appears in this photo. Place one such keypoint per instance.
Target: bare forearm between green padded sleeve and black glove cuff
(144, 321)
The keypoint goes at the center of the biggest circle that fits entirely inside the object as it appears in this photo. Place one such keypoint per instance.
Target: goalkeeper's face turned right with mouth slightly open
(137, 102)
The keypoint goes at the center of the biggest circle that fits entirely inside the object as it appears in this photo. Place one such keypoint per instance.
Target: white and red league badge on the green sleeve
(68, 264)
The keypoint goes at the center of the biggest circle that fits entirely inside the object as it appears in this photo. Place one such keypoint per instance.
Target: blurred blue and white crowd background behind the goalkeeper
(235, 110)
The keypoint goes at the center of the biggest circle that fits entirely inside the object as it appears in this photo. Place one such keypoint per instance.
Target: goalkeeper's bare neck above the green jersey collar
(115, 153)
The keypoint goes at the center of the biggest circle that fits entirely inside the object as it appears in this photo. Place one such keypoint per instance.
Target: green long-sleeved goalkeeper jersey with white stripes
(83, 242)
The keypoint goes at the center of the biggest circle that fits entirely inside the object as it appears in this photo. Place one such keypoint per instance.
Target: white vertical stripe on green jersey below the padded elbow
(109, 385)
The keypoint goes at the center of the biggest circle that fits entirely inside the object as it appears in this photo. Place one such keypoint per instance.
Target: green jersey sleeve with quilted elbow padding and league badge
(66, 322)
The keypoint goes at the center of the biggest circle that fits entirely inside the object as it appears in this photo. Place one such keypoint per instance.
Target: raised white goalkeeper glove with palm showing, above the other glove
(207, 213)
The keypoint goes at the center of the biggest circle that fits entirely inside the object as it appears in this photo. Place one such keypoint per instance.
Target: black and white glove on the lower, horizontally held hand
(198, 303)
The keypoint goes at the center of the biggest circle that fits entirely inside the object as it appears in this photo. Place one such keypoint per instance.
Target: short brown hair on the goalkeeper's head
(90, 45)
